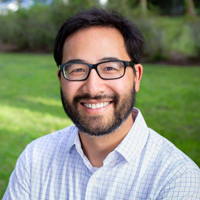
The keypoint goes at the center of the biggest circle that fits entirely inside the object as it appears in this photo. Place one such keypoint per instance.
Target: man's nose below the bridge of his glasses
(94, 85)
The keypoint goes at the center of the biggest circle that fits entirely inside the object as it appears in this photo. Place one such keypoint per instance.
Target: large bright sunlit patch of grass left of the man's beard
(34, 122)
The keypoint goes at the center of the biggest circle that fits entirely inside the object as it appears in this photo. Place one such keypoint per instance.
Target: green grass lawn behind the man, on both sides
(30, 105)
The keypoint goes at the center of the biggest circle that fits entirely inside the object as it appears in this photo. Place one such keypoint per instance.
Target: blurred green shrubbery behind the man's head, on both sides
(35, 29)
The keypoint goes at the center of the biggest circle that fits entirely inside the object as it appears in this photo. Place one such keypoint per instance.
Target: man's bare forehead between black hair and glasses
(94, 42)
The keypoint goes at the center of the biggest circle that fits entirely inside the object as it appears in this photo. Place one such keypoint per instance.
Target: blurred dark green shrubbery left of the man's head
(35, 29)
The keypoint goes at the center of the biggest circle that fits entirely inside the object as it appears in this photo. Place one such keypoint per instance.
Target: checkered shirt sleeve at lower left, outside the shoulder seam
(19, 183)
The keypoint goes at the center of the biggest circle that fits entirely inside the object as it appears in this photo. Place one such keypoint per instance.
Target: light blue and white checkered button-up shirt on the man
(144, 166)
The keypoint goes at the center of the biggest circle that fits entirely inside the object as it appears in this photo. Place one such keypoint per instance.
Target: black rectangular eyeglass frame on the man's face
(94, 66)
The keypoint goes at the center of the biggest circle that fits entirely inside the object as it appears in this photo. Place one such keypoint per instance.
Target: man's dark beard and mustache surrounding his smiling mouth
(100, 125)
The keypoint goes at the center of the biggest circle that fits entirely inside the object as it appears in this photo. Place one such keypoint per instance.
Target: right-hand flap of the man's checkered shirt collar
(134, 142)
